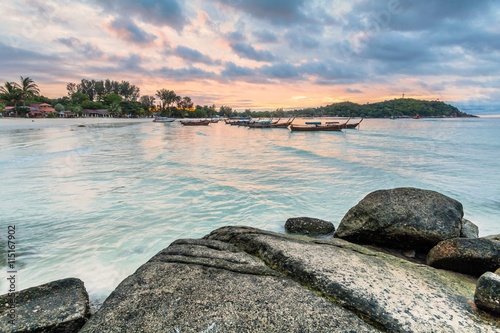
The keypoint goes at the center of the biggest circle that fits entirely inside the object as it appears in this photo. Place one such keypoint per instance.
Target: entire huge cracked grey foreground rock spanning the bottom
(240, 279)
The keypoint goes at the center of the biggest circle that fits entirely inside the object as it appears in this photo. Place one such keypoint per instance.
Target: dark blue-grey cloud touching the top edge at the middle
(278, 12)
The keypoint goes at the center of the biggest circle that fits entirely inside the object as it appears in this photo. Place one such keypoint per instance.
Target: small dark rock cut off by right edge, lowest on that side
(487, 296)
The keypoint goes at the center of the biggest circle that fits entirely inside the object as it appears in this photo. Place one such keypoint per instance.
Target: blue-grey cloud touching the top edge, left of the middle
(162, 13)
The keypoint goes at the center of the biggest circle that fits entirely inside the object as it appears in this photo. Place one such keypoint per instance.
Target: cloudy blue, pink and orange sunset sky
(261, 54)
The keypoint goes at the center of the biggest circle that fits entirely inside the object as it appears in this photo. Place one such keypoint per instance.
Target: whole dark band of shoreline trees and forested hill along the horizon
(124, 99)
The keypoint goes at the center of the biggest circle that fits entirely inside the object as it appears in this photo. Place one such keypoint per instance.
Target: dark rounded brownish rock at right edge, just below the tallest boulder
(466, 255)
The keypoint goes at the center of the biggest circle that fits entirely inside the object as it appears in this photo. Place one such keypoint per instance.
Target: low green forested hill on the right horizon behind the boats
(402, 107)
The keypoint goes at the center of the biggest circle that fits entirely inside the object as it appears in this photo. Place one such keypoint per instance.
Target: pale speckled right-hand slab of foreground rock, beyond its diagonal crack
(392, 294)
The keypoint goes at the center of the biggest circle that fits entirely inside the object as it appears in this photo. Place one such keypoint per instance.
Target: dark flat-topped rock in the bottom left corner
(60, 306)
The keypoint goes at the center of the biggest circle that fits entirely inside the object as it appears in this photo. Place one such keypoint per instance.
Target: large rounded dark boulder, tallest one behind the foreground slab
(407, 218)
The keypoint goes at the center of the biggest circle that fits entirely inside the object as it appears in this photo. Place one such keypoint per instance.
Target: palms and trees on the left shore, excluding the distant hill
(119, 98)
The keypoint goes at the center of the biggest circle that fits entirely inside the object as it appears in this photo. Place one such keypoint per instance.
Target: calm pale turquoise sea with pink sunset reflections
(97, 198)
